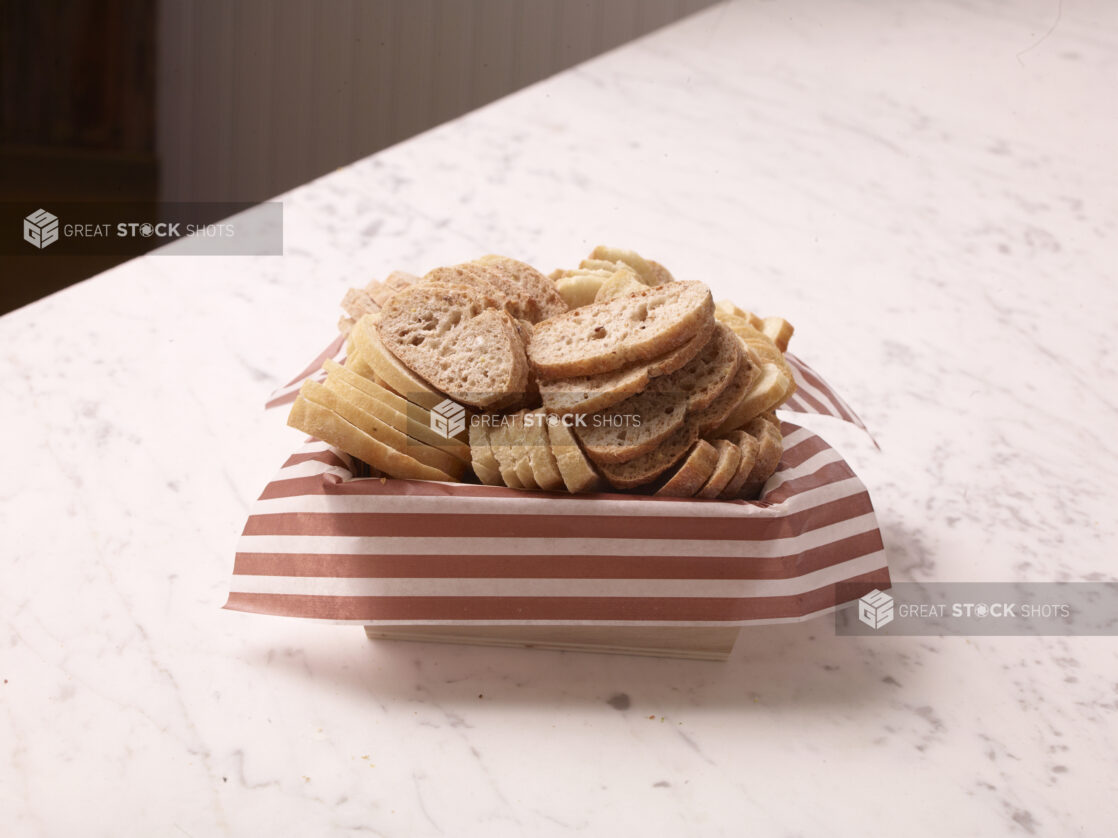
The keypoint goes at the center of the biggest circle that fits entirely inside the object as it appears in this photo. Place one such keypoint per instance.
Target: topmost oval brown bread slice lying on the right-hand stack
(605, 337)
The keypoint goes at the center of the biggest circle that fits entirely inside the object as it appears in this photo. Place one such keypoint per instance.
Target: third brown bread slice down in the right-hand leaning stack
(641, 423)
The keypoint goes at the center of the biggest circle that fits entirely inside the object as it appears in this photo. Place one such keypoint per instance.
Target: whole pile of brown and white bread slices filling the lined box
(613, 375)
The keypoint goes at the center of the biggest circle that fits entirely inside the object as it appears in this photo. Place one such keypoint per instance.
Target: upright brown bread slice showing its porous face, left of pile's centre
(449, 338)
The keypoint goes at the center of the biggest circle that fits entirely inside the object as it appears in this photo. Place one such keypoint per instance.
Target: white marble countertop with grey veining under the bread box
(927, 191)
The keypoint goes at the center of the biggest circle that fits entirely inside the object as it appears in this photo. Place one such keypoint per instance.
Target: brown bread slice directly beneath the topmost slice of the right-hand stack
(592, 394)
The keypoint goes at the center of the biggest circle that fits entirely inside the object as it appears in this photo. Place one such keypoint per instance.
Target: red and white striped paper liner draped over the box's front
(321, 545)
